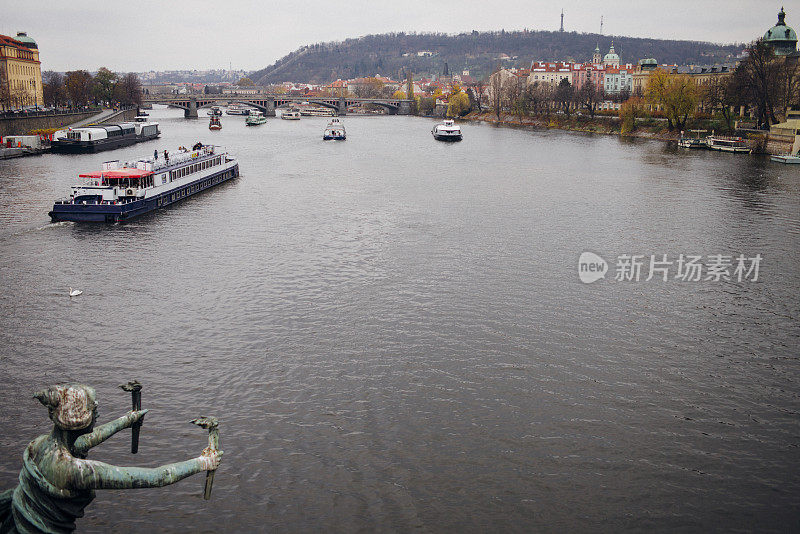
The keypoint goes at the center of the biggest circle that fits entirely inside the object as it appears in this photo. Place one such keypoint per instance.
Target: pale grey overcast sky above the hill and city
(249, 34)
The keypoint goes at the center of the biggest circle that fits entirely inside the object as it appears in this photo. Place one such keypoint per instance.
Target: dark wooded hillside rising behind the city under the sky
(476, 51)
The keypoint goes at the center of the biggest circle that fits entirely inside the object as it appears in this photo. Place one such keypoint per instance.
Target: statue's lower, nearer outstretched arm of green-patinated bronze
(88, 474)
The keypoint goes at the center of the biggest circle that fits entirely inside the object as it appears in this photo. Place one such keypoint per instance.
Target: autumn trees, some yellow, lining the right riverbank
(762, 85)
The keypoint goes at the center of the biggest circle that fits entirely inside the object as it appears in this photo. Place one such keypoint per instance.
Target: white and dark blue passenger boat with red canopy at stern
(123, 190)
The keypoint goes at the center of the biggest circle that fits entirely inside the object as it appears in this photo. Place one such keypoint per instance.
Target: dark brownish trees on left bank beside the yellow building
(78, 88)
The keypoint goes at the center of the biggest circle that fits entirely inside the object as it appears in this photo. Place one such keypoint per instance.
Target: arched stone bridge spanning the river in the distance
(269, 102)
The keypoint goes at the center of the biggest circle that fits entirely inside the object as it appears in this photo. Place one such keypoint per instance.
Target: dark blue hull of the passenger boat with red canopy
(129, 210)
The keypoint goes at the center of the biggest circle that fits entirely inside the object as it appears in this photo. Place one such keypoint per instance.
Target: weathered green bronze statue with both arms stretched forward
(57, 482)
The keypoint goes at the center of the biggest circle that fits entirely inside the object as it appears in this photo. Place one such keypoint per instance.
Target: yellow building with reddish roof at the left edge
(20, 72)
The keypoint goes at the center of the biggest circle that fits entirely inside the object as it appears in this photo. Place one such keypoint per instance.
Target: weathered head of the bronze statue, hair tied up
(71, 407)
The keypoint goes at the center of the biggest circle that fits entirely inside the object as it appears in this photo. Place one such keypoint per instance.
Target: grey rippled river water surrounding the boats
(395, 337)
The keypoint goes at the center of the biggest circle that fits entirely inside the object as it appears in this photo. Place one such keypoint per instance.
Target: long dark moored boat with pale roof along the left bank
(103, 137)
